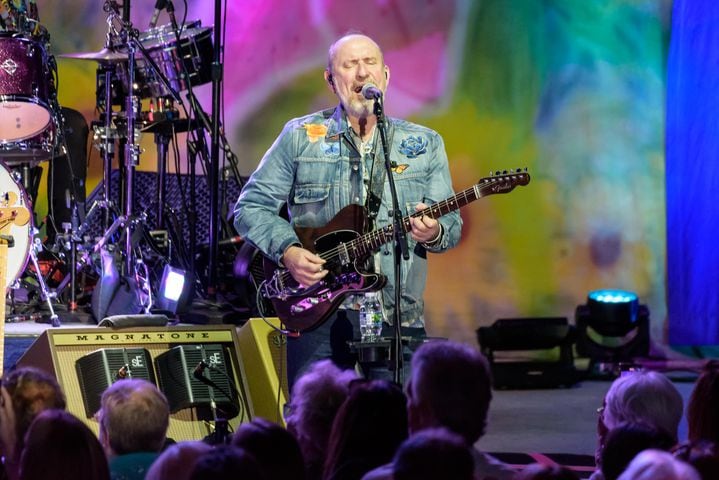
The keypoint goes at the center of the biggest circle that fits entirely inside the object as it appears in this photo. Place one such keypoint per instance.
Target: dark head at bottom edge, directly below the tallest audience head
(431, 454)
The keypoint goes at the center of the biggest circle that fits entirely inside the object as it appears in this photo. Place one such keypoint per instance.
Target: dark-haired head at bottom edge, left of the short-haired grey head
(60, 446)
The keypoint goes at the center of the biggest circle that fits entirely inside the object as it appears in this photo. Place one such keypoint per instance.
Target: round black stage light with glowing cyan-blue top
(612, 327)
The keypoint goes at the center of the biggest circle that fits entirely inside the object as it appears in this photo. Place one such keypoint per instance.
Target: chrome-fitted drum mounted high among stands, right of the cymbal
(194, 52)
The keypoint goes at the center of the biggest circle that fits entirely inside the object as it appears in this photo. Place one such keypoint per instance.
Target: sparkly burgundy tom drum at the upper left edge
(26, 120)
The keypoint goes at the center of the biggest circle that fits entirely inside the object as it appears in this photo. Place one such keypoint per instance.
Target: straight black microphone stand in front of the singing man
(401, 247)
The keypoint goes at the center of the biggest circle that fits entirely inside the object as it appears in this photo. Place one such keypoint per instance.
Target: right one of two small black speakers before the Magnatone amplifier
(177, 372)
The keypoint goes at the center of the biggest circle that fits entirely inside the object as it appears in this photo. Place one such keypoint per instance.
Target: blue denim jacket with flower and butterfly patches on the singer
(316, 168)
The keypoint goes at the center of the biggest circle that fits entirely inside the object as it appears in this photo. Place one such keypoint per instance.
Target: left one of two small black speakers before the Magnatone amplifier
(98, 370)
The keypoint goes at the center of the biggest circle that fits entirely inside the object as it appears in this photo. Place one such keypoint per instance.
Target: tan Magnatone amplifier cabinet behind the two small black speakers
(58, 349)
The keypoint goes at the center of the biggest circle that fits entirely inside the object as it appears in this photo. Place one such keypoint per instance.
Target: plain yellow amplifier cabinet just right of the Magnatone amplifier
(265, 348)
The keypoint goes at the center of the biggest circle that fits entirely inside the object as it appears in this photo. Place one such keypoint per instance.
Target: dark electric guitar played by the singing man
(346, 252)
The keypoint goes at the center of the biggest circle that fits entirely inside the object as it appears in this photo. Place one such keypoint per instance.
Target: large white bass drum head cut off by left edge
(15, 225)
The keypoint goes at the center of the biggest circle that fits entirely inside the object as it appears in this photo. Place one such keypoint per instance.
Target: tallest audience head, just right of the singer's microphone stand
(450, 386)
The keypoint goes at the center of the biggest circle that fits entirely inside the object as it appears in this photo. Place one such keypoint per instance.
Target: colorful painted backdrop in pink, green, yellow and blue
(573, 90)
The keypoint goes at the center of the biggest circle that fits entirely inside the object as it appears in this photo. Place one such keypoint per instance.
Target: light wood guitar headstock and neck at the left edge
(10, 214)
